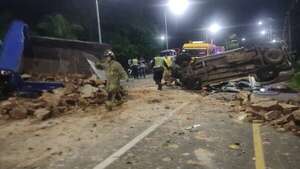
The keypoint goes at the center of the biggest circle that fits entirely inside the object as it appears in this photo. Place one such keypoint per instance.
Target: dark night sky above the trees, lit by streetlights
(237, 16)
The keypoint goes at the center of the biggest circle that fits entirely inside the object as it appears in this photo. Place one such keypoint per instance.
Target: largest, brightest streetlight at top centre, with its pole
(177, 7)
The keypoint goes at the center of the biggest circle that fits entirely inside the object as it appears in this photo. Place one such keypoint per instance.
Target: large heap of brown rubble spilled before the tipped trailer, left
(79, 91)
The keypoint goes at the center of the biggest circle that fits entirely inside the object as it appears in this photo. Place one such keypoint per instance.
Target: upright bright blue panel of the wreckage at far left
(13, 47)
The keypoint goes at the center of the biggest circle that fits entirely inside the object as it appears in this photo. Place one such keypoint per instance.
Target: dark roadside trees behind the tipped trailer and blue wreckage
(134, 40)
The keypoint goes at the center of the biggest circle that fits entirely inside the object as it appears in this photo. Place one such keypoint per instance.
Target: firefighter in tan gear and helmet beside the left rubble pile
(114, 74)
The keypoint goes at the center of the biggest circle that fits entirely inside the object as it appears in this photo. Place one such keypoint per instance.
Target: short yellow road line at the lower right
(258, 147)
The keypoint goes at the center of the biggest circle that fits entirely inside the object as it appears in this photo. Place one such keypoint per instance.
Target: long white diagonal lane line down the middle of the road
(109, 160)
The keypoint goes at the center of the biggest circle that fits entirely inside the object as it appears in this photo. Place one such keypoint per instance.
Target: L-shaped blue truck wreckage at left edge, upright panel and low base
(15, 42)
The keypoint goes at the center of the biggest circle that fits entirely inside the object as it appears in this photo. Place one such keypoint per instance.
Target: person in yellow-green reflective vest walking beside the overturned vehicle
(158, 70)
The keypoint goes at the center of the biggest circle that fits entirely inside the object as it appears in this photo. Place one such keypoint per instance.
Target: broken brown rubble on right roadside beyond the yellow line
(282, 116)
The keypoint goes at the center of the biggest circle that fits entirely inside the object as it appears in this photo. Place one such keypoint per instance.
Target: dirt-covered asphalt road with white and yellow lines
(171, 129)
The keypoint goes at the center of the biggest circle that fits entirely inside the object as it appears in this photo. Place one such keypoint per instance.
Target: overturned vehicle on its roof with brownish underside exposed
(266, 63)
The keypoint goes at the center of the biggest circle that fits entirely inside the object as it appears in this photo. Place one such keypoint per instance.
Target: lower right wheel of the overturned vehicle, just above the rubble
(265, 75)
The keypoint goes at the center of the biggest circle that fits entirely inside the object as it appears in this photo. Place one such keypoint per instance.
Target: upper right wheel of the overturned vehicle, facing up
(273, 56)
